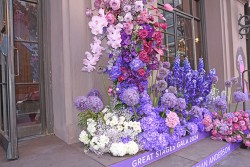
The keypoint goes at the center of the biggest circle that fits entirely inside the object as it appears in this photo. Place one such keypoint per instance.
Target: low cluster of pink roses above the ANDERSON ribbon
(232, 127)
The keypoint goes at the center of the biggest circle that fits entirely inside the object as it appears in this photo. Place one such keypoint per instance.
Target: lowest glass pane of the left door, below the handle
(28, 105)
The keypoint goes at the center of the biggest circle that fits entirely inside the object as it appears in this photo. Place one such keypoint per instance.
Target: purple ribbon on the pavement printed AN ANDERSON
(218, 155)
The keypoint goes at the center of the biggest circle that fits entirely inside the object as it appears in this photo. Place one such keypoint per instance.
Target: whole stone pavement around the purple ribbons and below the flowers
(49, 151)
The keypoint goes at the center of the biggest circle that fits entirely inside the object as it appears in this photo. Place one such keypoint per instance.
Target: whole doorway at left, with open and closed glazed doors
(22, 106)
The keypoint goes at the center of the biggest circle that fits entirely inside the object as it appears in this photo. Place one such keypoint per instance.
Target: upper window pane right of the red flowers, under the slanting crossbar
(184, 27)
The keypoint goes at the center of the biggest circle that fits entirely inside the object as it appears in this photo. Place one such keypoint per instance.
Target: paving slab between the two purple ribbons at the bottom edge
(172, 160)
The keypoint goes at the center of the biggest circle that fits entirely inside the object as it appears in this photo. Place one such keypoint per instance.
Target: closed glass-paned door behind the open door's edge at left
(27, 66)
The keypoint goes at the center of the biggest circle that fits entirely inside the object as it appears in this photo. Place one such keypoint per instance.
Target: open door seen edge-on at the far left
(8, 133)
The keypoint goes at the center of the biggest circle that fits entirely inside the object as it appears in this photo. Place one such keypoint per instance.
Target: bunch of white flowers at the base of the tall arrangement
(114, 133)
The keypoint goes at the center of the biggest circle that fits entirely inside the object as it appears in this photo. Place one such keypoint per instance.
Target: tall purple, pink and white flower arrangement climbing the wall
(150, 105)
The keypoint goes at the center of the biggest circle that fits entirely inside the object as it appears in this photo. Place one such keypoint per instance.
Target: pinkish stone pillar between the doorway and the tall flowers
(70, 38)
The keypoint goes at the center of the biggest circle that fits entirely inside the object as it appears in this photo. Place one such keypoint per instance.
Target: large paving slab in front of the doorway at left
(49, 151)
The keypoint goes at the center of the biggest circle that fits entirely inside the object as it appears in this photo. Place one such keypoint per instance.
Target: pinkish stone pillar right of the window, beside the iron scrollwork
(223, 39)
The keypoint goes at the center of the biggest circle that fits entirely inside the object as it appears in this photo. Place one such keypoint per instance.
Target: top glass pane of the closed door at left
(25, 21)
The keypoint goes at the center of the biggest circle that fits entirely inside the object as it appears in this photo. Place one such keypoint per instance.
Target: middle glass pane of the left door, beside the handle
(28, 63)
